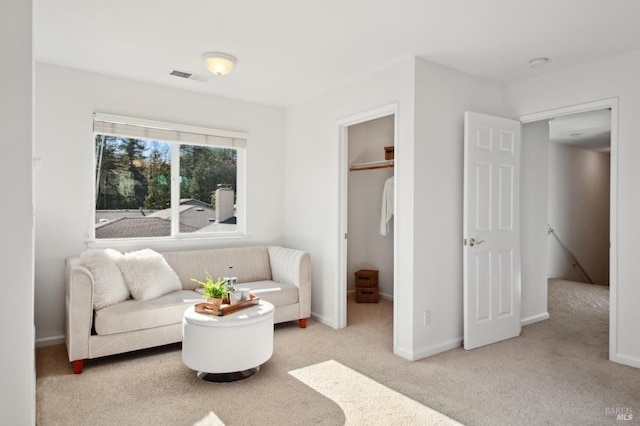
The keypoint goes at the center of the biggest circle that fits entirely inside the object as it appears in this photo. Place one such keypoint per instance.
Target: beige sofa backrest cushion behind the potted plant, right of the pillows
(249, 264)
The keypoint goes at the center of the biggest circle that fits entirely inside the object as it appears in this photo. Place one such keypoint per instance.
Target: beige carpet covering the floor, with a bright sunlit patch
(557, 372)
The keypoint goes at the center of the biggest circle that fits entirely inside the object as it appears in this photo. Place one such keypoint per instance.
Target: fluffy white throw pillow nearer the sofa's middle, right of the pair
(147, 274)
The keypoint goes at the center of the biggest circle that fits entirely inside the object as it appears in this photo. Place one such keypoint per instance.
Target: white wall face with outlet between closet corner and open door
(442, 97)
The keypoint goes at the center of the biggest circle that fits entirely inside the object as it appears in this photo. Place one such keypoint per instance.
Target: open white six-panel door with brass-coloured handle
(491, 229)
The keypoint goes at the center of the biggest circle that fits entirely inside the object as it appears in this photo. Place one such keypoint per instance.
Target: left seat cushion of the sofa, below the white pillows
(132, 315)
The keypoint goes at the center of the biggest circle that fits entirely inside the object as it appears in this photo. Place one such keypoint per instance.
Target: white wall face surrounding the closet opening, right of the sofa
(312, 173)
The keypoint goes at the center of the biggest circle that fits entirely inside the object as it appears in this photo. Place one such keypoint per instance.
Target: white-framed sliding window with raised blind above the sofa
(163, 180)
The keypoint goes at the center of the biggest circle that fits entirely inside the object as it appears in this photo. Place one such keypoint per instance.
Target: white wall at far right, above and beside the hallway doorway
(615, 77)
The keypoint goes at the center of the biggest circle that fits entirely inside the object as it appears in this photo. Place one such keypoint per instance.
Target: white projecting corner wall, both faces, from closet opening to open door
(428, 221)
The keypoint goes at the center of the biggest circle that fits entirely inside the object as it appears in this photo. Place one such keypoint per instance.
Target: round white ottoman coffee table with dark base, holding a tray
(230, 347)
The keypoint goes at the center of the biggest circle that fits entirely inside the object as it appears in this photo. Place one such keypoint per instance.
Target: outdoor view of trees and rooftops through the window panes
(134, 187)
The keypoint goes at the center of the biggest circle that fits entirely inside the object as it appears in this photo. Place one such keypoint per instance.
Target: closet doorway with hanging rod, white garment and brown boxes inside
(368, 233)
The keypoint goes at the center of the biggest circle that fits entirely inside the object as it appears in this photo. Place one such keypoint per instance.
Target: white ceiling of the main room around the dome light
(292, 50)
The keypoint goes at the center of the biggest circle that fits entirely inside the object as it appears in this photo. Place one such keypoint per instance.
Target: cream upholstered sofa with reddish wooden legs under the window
(278, 275)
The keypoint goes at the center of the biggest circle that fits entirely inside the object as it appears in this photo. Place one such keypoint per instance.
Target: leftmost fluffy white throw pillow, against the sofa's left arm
(108, 285)
